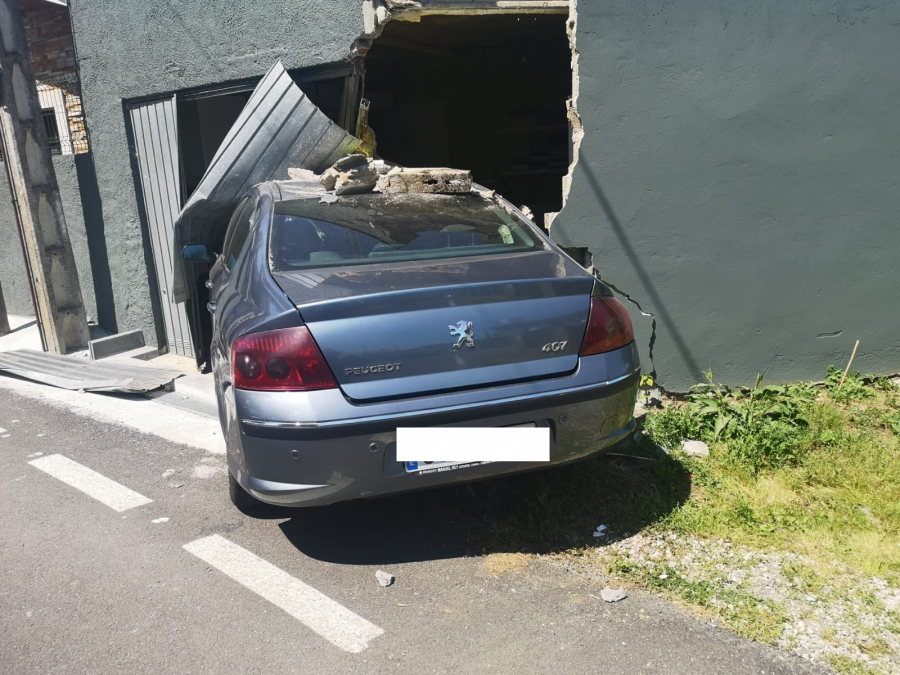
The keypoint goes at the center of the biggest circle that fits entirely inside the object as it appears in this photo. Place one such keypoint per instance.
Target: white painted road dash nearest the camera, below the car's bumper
(316, 611)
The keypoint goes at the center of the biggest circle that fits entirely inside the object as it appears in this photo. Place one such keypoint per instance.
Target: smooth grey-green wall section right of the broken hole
(739, 180)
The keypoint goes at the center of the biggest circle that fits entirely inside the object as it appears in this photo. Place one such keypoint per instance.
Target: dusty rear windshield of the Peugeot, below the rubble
(375, 228)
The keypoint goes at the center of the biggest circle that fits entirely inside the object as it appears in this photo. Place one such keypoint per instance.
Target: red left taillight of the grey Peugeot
(280, 360)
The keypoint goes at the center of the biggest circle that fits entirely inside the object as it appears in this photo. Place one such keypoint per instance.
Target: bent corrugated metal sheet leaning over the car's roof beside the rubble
(278, 128)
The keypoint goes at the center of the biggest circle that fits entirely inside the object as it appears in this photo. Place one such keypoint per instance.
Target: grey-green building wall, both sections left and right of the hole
(738, 176)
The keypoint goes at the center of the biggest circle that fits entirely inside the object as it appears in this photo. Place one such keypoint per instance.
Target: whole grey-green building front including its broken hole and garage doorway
(730, 169)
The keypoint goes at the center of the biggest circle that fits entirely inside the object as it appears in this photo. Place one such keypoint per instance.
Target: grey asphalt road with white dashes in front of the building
(86, 588)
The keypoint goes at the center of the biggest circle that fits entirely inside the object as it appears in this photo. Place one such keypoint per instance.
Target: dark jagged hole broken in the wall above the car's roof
(486, 93)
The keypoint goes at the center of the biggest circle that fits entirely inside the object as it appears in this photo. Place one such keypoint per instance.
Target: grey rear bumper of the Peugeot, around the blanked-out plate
(300, 461)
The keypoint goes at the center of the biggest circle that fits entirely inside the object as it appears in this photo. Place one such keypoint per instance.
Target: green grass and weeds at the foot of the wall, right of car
(810, 470)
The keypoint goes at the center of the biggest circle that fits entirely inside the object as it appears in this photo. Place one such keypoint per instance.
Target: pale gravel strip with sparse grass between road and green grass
(830, 614)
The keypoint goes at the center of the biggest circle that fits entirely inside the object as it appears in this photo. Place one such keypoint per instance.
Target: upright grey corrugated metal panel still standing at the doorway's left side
(155, 130)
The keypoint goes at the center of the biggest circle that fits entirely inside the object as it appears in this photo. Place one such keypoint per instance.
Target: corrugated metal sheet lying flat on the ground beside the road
(74, 372)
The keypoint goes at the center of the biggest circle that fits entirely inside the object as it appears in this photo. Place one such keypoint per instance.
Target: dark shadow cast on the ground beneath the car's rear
(541, 512)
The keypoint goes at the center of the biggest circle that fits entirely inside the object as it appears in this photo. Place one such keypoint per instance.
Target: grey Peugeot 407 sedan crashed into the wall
(338, 320)
